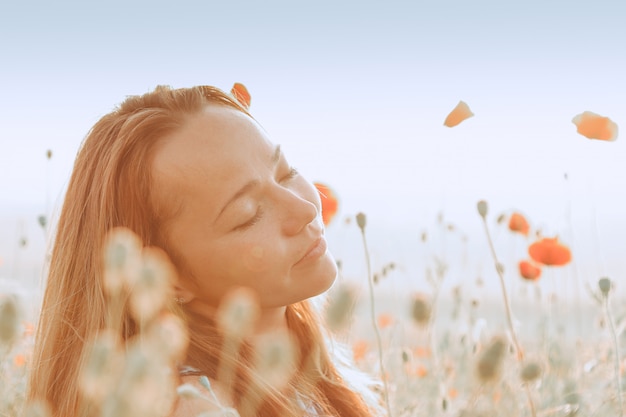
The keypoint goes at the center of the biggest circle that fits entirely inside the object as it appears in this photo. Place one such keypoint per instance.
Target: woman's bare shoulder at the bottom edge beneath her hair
(198, 395)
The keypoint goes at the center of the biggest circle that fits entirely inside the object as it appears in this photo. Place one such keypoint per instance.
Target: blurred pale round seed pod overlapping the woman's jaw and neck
(238, 312)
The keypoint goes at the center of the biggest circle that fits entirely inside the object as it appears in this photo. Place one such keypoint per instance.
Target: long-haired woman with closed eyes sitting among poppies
(191, 172)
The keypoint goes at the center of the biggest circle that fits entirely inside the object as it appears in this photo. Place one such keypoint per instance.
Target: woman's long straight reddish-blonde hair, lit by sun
(111, 187)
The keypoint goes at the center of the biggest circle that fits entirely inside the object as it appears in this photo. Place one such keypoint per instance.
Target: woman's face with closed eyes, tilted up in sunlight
(241, 215)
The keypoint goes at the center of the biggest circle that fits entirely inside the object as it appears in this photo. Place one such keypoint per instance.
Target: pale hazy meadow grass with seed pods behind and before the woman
(446, 350)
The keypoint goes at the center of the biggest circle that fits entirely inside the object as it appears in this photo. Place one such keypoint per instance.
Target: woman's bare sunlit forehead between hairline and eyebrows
(213, 152)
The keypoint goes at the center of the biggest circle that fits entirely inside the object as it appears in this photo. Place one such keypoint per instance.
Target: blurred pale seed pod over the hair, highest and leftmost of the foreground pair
(122, 254)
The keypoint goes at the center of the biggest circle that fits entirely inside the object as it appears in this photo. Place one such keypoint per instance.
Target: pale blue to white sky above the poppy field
(356, 93)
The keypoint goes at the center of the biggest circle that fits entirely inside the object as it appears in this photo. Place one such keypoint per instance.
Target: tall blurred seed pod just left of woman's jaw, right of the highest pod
(151, 288)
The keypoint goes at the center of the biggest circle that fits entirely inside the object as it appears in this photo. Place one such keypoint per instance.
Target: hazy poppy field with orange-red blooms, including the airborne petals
(447, 349)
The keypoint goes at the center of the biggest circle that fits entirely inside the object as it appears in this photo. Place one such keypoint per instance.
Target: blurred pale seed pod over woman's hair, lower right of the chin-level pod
(276, 357)
